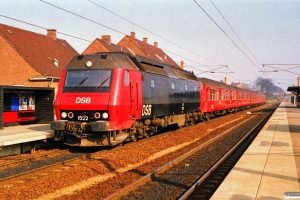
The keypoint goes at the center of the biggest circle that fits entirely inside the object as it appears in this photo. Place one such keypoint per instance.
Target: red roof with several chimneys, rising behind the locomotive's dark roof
(151, 51)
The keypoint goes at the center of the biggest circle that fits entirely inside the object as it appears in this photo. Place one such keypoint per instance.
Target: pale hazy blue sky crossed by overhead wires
(237, 39)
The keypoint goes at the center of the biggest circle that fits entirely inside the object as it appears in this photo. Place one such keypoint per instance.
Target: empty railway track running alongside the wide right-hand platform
(187, 177)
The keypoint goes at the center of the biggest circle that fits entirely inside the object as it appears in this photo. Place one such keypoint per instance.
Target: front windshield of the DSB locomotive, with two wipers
(87, 81)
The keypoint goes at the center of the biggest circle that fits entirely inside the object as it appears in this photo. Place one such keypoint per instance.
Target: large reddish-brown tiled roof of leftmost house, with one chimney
(46, 54)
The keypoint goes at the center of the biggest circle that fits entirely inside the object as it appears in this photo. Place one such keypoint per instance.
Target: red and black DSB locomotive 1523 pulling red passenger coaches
(107, 98)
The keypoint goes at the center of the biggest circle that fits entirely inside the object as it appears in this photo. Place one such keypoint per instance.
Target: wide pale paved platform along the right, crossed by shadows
(270, 167)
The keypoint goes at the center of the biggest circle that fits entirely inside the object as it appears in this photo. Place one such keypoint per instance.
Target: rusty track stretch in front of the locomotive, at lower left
(28, 169)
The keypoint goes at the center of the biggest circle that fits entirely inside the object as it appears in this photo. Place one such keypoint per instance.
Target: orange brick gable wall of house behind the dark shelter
(14, 70)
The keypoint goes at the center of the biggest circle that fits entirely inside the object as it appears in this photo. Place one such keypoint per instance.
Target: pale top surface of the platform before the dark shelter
(25, 133)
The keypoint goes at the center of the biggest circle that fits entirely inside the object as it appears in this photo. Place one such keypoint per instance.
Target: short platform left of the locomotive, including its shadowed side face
(24, 138)
